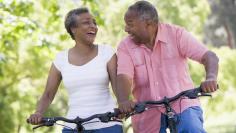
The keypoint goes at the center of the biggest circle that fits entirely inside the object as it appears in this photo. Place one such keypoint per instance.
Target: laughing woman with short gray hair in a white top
(86, 70)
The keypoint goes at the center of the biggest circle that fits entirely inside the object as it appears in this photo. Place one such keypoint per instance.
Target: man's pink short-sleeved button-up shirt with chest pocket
(160, 72)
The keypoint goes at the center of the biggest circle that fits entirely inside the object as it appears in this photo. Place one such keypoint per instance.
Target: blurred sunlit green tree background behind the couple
(32, 32)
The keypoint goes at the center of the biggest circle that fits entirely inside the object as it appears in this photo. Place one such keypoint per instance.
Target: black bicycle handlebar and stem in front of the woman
(105, 117)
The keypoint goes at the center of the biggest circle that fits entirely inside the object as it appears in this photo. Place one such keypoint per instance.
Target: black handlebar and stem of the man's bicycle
(171, 121)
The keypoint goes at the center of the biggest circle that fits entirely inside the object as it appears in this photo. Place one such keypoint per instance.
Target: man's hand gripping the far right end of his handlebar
(209, 85)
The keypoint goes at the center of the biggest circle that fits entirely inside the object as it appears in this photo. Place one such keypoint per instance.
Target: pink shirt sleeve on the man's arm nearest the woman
(124, 63)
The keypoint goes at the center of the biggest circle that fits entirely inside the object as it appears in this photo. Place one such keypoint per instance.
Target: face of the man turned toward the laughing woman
(135, 27)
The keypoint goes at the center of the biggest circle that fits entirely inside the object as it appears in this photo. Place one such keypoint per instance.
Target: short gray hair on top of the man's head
(145, 10)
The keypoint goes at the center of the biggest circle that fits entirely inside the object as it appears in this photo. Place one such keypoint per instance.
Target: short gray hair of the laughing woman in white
(70, 20)
